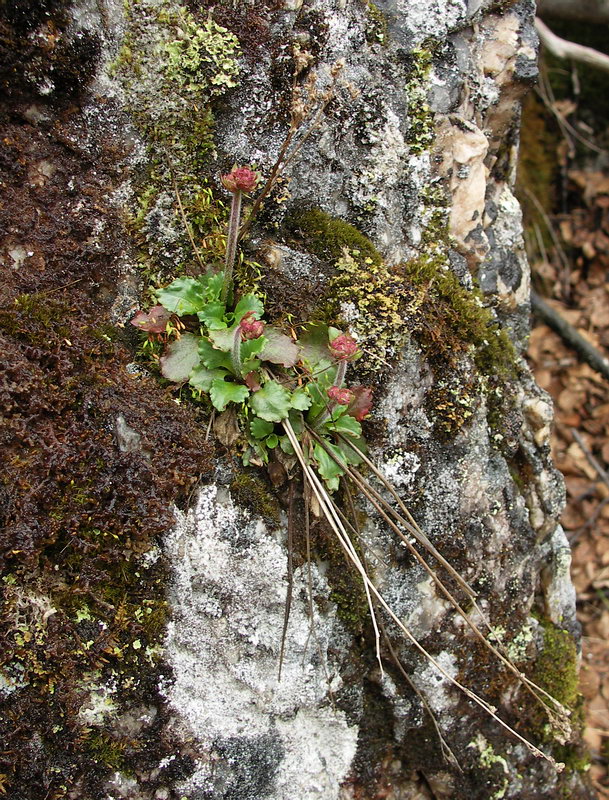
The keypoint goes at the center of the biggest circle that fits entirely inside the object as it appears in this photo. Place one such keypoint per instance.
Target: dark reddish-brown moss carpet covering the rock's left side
(77, 512)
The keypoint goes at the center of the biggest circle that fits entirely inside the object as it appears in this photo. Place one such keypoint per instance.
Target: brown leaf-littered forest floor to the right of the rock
(573, 278)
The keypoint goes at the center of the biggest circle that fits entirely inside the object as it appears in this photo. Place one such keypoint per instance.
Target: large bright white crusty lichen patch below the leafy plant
(228, 596)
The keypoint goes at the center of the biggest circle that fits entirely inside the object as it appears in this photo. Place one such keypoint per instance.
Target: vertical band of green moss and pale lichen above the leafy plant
(172, 68)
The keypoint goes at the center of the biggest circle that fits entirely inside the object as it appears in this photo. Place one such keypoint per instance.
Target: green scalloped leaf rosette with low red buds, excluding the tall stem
(237, 360)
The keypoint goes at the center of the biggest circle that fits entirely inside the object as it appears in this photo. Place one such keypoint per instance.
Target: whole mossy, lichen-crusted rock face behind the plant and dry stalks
(146, 575)
